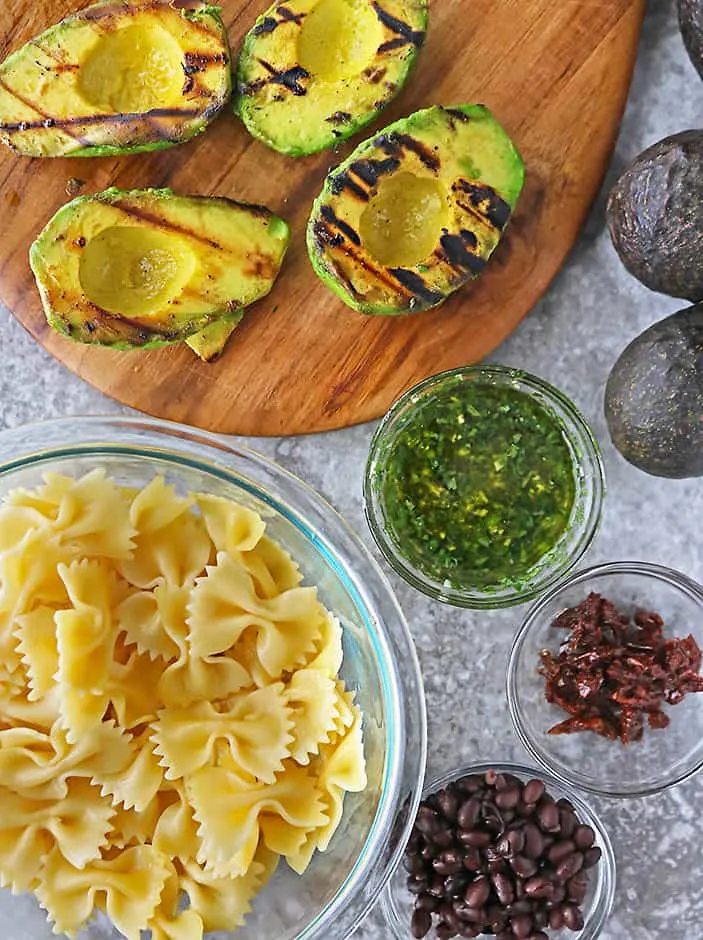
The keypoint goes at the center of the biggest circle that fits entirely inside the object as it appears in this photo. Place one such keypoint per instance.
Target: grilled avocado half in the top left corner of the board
(116, 77)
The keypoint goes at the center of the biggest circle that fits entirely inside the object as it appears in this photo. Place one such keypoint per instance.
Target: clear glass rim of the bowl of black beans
(607, 880)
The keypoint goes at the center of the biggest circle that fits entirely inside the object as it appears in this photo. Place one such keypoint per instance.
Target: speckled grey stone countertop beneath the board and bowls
(571, 339)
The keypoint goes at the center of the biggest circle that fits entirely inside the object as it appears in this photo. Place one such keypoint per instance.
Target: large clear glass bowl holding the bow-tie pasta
(380, 663)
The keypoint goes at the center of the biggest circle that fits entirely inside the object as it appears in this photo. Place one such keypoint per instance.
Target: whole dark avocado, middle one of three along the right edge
(655, 216)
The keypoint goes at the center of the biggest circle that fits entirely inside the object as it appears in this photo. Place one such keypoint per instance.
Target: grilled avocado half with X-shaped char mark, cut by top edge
(313, 72)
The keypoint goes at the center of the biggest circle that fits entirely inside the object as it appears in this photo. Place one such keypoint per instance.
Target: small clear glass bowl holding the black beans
(397, 901)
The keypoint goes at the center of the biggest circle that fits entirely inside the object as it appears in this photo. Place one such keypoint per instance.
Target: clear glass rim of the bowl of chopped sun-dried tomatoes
(670, 576)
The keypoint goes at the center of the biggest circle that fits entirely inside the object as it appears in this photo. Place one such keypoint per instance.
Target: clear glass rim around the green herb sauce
(580, 431)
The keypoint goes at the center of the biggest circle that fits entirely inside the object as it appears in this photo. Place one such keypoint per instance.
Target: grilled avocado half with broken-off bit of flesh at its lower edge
(148, 267)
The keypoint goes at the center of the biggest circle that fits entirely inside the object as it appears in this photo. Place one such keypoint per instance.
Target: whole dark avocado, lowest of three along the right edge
(654, 397)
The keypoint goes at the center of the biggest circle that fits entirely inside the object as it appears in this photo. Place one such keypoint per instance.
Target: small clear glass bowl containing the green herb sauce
(589, 479)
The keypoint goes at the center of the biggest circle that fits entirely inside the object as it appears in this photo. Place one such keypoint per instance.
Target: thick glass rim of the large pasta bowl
(90, 439)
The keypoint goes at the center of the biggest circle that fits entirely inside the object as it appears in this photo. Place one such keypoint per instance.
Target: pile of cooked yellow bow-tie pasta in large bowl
(172, 721)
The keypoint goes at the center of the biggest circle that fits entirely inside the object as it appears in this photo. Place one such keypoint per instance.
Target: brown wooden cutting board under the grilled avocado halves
(556, 74)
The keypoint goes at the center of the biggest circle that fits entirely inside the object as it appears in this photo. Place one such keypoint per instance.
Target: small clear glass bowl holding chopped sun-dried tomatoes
(664, 757)
